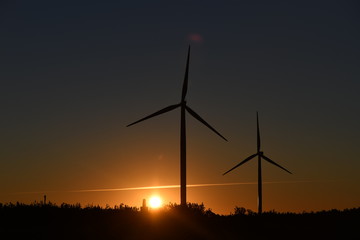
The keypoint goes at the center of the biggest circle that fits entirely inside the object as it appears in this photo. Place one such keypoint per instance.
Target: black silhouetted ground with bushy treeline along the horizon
(38, 221)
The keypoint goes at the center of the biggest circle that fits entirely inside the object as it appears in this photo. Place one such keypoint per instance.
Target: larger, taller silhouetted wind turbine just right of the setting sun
(183, 107)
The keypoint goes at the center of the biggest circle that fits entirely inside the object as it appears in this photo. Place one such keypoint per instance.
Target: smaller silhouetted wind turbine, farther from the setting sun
(260, 156)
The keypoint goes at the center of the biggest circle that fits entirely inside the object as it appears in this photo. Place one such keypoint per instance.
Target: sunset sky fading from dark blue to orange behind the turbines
(75, 73)
